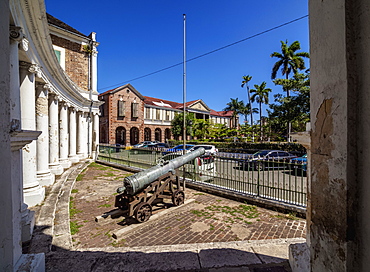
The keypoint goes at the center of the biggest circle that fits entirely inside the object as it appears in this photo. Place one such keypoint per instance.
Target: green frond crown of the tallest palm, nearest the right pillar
(289, 61)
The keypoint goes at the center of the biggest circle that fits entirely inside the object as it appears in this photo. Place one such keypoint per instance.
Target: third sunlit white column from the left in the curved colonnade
(54, 164)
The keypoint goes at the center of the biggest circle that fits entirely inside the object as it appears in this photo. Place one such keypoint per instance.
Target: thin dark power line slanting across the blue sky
(208, 53)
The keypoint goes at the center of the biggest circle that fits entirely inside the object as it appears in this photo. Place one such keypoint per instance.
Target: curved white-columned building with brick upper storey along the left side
(49, 114)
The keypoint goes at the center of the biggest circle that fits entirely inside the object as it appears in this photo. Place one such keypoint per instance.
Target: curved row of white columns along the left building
(68, 128)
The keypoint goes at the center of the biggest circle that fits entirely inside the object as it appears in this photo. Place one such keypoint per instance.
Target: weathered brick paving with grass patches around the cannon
(206, 219)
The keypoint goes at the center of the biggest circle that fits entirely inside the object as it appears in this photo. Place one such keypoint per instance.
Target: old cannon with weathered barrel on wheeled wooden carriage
(140, 191)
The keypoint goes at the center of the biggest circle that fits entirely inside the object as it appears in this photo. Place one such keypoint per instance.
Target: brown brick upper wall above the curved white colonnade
(77, 61)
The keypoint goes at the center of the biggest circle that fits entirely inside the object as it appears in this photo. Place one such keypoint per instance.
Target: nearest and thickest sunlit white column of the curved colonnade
(33, 193)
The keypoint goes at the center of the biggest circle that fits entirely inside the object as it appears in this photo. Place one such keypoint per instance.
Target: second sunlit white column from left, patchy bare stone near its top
(44, 176)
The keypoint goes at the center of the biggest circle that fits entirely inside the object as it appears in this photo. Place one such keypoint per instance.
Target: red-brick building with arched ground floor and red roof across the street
(127, 117)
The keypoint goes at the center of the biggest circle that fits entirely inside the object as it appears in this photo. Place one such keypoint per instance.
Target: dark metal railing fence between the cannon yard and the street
(278, 181)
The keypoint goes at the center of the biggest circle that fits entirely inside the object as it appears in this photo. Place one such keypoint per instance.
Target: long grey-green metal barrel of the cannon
(133, 184)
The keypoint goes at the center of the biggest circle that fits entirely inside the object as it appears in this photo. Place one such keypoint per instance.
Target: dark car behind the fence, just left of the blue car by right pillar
(267, 159)
